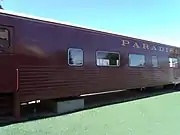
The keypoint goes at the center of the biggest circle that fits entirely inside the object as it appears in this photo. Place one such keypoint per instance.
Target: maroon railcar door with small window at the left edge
(7, 68)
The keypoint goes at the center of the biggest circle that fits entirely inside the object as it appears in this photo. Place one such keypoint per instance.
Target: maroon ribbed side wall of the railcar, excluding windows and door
(41, 56)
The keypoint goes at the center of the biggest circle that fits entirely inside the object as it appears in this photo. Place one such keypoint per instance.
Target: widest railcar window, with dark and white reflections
(107, 58)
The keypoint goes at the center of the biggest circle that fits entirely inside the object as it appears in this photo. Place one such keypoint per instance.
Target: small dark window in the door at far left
(4, 38)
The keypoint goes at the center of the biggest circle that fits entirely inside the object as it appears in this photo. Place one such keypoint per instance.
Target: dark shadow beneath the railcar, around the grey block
(46, 108)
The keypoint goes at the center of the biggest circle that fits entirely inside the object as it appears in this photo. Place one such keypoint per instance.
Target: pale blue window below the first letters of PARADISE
(136, 60)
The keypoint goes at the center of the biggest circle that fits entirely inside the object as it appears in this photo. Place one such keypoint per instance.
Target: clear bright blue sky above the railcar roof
(157, 20)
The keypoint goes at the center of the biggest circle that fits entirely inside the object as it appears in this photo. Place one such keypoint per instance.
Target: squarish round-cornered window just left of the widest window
(75, 57)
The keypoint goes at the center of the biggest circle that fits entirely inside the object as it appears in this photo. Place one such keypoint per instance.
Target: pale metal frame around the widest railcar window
(108, 65)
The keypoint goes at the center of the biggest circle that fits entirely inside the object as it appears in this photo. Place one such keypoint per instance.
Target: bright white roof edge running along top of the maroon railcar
(67, 24)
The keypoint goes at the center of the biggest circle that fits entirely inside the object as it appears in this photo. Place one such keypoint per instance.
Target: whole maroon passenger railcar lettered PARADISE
(45, 59)
